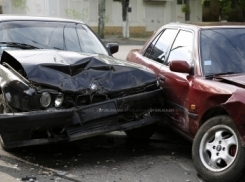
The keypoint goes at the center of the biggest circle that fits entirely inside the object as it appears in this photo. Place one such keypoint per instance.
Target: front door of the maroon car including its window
(176, 85)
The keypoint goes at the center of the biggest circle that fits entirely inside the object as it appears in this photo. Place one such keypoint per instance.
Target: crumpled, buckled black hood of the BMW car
(76, 72)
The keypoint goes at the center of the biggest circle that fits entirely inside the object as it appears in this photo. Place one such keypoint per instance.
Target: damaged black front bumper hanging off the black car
(55, 125)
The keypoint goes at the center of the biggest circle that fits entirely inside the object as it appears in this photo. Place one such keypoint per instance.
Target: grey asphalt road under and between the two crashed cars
(106, 158)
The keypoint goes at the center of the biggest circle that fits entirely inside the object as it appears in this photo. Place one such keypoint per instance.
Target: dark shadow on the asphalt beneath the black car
(99, 149)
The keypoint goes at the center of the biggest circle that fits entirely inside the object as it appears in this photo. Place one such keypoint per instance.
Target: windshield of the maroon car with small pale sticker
(223, 51)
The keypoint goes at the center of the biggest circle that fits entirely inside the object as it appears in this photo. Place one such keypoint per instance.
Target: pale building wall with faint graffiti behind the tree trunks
(145, 17)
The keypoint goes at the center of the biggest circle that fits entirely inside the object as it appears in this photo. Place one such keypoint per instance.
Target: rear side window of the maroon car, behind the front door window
(159, 51)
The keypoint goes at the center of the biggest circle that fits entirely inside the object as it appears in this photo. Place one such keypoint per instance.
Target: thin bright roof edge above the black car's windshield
(34, 18)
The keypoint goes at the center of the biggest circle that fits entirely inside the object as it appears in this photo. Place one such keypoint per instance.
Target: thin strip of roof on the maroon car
(208, 25)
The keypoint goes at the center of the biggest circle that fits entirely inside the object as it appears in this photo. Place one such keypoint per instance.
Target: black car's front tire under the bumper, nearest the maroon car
(142, 133)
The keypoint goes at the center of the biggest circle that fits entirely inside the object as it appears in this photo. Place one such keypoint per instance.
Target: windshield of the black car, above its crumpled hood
(50, 35)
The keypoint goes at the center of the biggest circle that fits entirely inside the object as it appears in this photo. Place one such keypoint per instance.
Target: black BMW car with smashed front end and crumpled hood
(60, 83)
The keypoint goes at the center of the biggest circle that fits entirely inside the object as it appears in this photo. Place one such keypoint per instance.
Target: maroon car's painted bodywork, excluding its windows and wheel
(192, 97)
